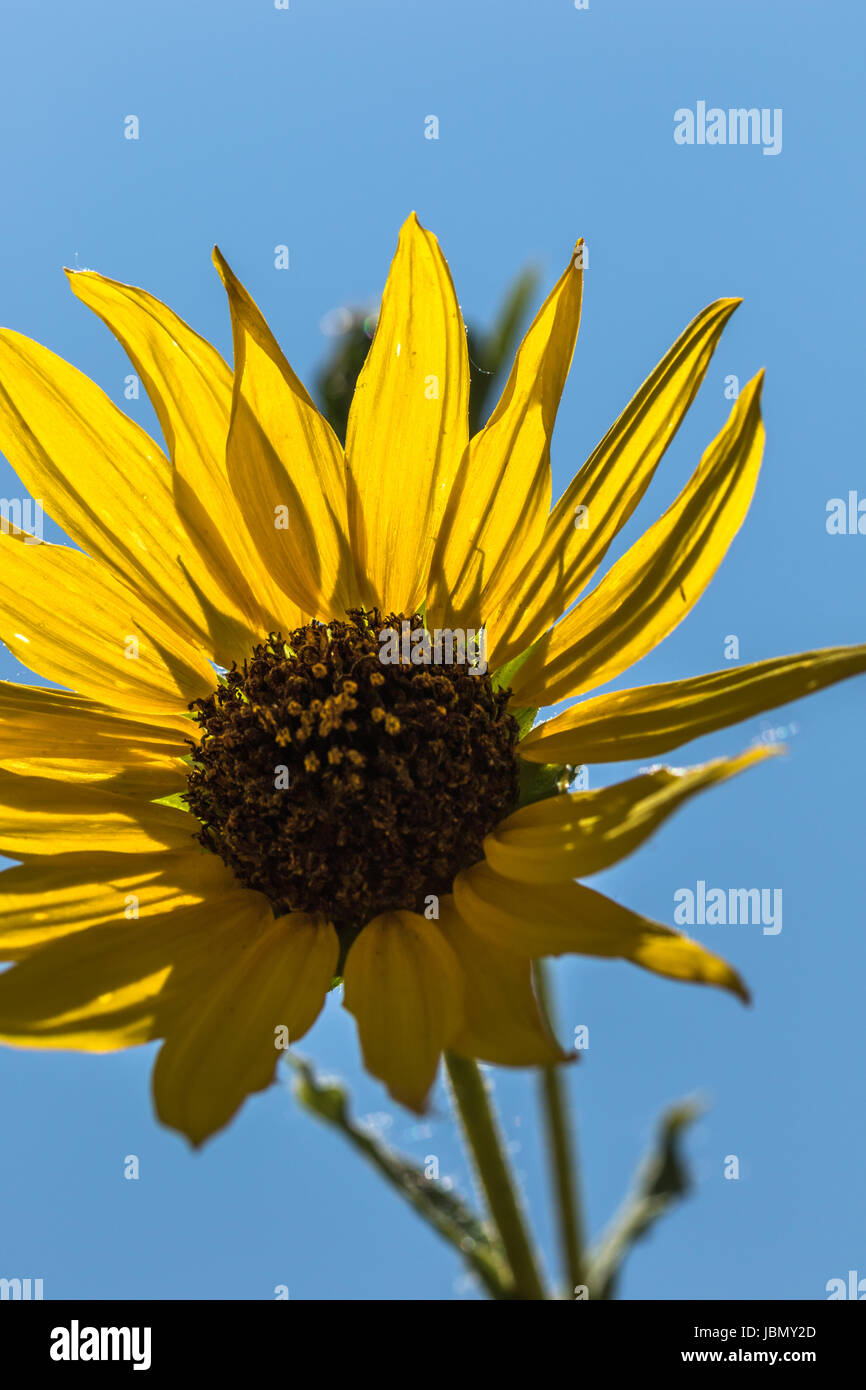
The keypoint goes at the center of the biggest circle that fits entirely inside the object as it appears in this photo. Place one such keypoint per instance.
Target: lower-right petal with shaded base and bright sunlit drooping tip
(569, 918)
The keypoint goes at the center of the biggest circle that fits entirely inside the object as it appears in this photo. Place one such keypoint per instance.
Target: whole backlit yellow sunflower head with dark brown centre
(236, 799)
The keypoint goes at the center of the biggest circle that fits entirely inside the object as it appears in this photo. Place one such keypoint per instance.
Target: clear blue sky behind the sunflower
(307, 127)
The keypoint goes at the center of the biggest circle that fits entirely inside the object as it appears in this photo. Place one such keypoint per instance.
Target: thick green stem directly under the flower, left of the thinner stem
(486, 1146)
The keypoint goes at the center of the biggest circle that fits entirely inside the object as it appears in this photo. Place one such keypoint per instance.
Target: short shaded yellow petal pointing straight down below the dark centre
(405, 989)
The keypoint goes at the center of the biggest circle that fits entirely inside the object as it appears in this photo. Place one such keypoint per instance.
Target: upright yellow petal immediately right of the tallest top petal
(501, 500)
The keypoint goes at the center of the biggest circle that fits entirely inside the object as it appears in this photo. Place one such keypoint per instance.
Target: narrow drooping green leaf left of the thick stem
(443, 1210)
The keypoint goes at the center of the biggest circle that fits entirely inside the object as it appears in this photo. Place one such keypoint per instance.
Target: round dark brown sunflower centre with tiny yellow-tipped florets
(354, 768)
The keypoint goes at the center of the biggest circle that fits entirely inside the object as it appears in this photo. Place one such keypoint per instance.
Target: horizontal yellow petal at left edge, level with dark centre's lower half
(42, 817)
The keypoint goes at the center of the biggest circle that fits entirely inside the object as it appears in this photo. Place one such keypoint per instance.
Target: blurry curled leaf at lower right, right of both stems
(661, 1182)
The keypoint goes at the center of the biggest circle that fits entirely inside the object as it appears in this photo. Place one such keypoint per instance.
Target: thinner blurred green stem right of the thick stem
(562, 1147)
